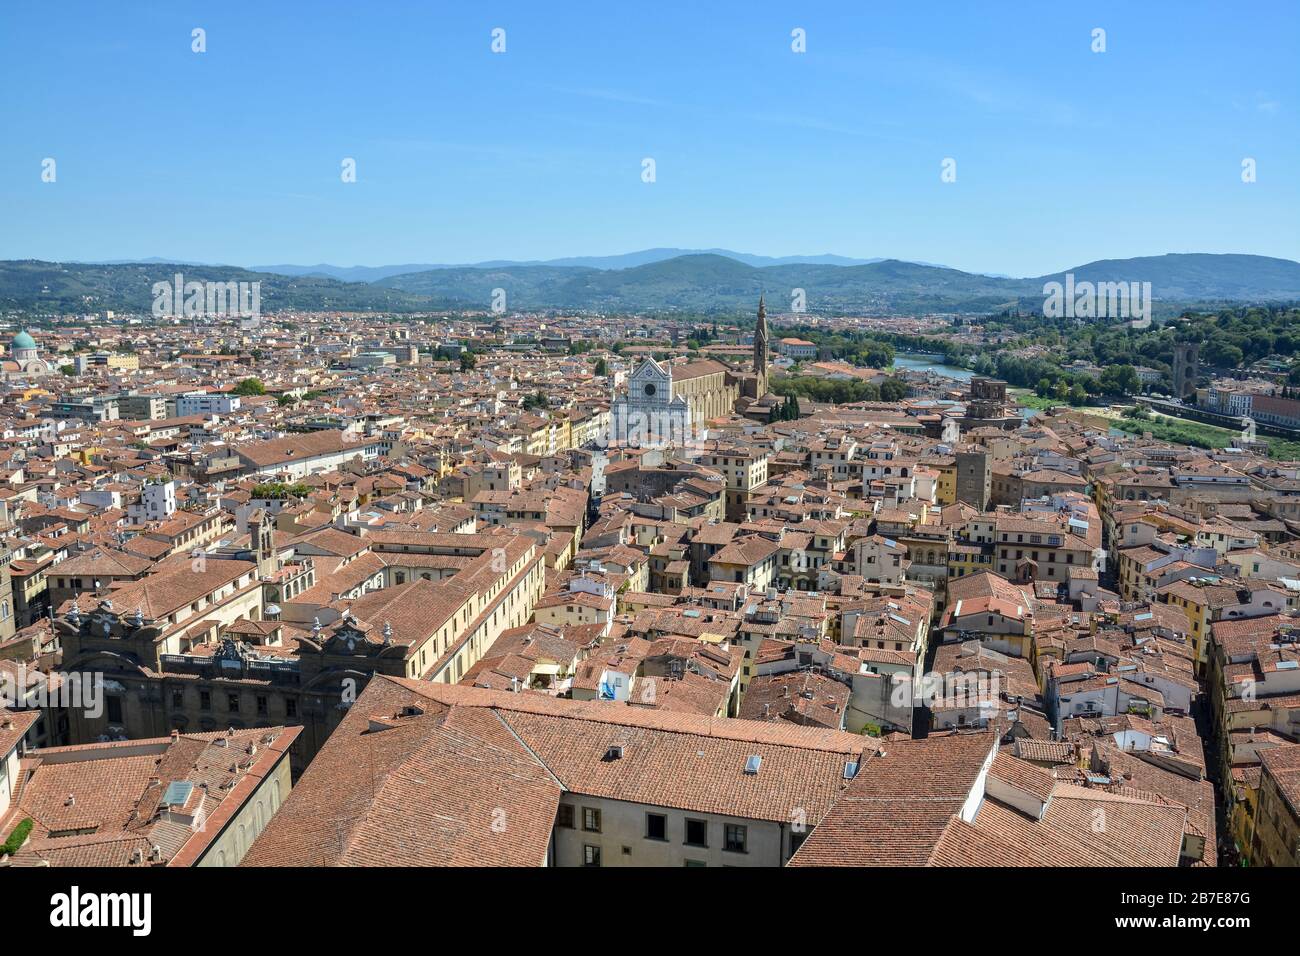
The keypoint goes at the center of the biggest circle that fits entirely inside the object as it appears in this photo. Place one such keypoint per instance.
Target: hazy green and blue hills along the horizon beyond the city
(662, 283)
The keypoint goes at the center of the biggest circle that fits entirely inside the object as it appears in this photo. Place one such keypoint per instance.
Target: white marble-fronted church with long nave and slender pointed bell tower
(670, 405)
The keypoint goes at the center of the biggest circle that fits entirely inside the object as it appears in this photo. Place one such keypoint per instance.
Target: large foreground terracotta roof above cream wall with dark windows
(417, 769)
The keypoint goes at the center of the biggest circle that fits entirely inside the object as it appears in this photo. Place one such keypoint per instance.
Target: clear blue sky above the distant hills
(1063, 155)
